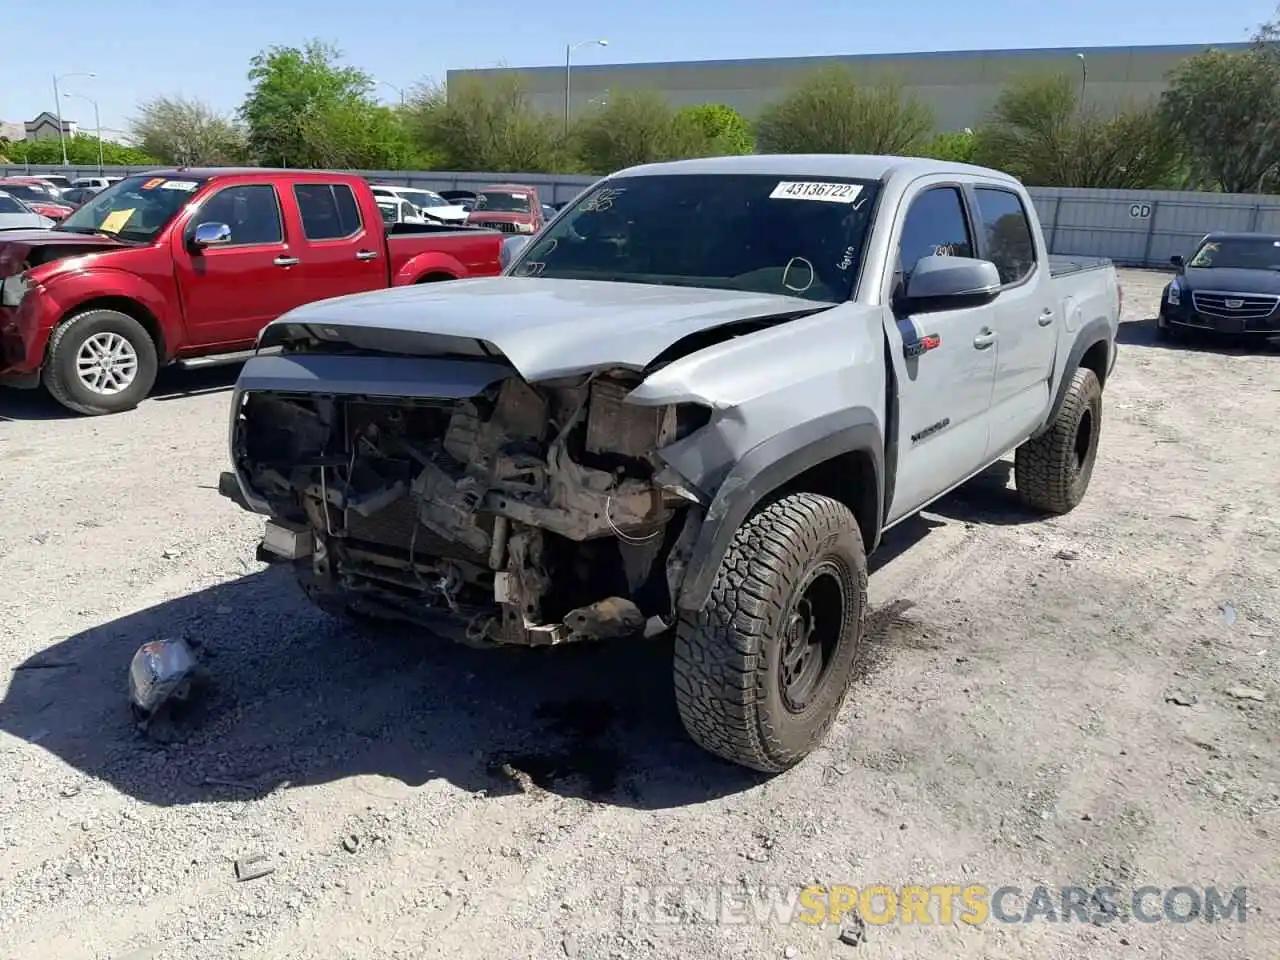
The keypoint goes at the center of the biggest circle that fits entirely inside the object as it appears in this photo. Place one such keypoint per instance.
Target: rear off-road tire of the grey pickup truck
(1053, 472)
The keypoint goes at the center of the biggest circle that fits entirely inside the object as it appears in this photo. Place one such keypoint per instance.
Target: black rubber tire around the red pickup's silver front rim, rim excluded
(62, 381)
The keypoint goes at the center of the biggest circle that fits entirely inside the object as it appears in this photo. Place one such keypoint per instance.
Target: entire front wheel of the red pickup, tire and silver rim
(100, 362)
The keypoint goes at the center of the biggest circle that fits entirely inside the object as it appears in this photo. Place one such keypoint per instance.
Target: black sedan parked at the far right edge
(1231, 285)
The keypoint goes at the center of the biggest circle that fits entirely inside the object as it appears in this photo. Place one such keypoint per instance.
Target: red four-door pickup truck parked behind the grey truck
(189, 266)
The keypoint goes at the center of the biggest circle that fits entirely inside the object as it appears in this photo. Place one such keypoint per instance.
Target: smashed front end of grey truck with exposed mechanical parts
(495, 513)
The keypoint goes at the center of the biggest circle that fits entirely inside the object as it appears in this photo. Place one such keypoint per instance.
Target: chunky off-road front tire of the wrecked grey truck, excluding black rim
(728, 671)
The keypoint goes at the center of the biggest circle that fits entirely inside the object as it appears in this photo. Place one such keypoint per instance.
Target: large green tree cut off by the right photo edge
(1224, 109)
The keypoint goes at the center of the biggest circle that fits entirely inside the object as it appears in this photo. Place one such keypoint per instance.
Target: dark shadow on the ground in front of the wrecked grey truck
(295, 698)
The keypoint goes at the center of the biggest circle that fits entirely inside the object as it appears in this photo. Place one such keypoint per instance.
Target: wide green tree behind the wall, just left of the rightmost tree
(1040, 134)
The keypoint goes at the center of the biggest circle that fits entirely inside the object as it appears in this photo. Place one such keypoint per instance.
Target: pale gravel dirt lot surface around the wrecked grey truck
(1091, 701)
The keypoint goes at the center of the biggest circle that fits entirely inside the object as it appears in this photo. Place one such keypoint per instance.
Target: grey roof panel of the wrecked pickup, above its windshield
(854, 166)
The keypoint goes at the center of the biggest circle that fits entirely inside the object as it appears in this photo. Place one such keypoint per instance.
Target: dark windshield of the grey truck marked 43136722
(740, 232)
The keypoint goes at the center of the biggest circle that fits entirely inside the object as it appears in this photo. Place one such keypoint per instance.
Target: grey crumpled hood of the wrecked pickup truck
(546, 328)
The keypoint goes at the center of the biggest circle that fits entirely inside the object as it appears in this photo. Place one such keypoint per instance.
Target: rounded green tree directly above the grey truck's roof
(831, 113)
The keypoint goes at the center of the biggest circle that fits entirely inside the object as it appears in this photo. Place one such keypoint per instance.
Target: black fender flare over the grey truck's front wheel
(769, 467)
